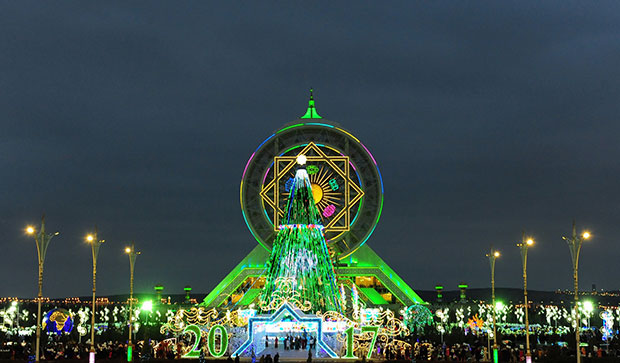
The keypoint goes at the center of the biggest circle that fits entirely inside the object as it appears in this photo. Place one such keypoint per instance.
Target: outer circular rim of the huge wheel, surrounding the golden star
(327, 135)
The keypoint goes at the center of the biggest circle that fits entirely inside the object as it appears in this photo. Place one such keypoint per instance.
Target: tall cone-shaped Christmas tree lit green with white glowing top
(299, 269)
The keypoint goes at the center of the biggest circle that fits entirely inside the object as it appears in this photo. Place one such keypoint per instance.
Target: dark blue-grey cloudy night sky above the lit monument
(485, 118)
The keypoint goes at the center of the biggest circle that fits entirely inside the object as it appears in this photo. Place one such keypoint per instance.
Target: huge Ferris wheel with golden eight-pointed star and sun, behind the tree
(346, 183)
